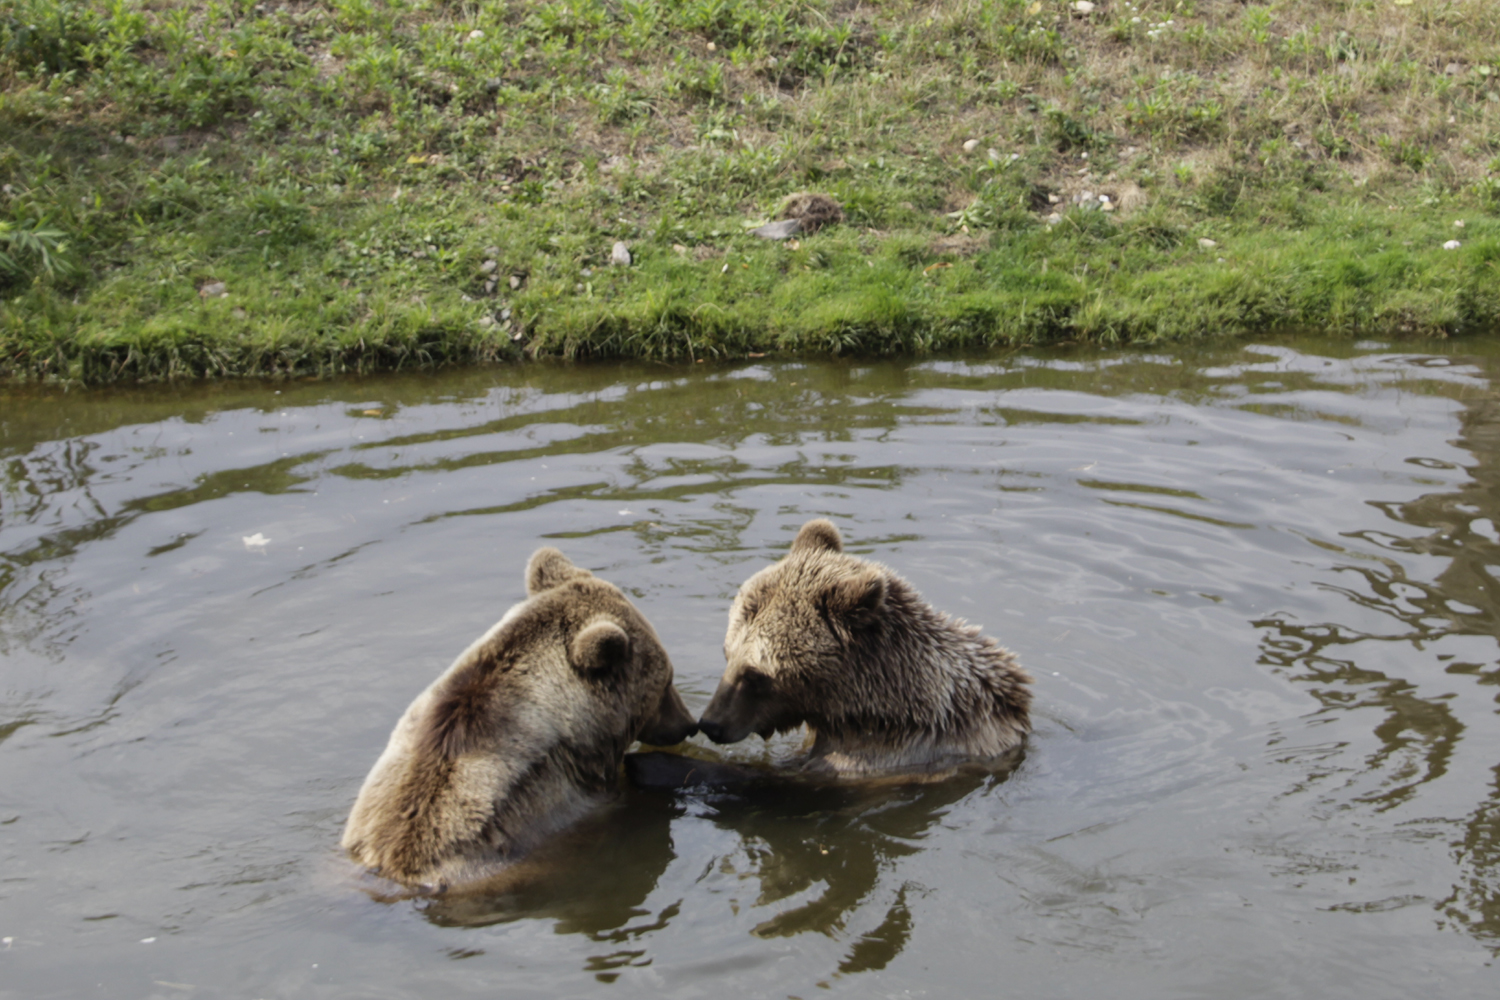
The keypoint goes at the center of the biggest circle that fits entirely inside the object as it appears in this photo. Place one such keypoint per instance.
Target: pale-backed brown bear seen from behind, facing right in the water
(521, 737)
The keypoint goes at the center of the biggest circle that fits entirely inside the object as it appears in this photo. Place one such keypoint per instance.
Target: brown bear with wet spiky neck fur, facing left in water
(884, 681)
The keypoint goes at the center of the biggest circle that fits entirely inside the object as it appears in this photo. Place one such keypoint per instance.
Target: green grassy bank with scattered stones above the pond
(247, 188)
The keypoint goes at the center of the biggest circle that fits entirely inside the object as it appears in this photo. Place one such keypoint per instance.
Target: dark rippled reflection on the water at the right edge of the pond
(1418, 735)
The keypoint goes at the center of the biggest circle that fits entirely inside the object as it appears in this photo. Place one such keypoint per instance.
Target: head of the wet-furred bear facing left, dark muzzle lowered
(791, 630)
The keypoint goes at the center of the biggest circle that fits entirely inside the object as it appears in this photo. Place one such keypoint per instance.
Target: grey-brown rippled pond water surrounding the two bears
(1256, 585)
